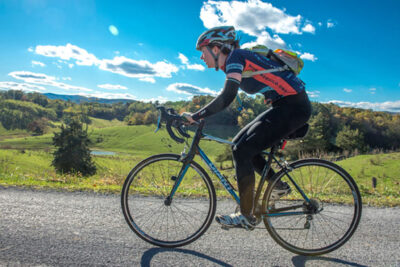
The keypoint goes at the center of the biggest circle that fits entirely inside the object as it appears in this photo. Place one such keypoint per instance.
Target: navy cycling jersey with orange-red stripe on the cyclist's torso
(273, 85)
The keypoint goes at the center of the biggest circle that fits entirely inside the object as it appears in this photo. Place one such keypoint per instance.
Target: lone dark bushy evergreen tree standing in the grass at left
(73, 154)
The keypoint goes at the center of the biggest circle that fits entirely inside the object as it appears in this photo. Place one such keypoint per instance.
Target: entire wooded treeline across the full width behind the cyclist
(332, 128)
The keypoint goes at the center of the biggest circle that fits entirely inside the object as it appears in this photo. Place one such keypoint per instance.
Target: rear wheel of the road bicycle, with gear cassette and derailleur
(324, 223)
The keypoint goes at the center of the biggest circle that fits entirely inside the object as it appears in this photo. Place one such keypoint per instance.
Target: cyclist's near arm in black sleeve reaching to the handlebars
(223, 100)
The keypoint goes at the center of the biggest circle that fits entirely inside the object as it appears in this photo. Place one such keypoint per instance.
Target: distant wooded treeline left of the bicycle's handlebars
(34, 111)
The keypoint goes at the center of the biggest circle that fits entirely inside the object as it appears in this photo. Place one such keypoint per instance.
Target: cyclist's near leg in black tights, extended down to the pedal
(265, 130)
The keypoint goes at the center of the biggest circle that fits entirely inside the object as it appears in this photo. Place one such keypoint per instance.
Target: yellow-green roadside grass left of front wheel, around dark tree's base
(33, 169)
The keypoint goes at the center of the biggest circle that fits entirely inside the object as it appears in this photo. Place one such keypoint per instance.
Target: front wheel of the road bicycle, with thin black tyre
(156, 220)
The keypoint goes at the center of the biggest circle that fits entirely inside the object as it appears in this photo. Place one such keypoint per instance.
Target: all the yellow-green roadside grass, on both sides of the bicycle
(33, 169)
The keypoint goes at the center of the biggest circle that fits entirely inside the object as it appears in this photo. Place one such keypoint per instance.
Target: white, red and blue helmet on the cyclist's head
(218, 35)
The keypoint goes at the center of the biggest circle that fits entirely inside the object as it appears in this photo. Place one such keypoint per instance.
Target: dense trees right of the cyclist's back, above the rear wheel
(336, 129)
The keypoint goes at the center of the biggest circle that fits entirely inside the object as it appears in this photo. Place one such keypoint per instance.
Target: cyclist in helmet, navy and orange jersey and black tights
(290, 109)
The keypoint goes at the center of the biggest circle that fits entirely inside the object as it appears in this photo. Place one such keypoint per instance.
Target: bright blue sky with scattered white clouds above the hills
(145, 50)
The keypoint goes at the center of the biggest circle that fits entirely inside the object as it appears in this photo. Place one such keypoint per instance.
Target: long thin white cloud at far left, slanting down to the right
(43, 79)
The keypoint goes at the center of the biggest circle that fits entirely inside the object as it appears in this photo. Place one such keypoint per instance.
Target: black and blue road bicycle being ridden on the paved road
(169, 200)
